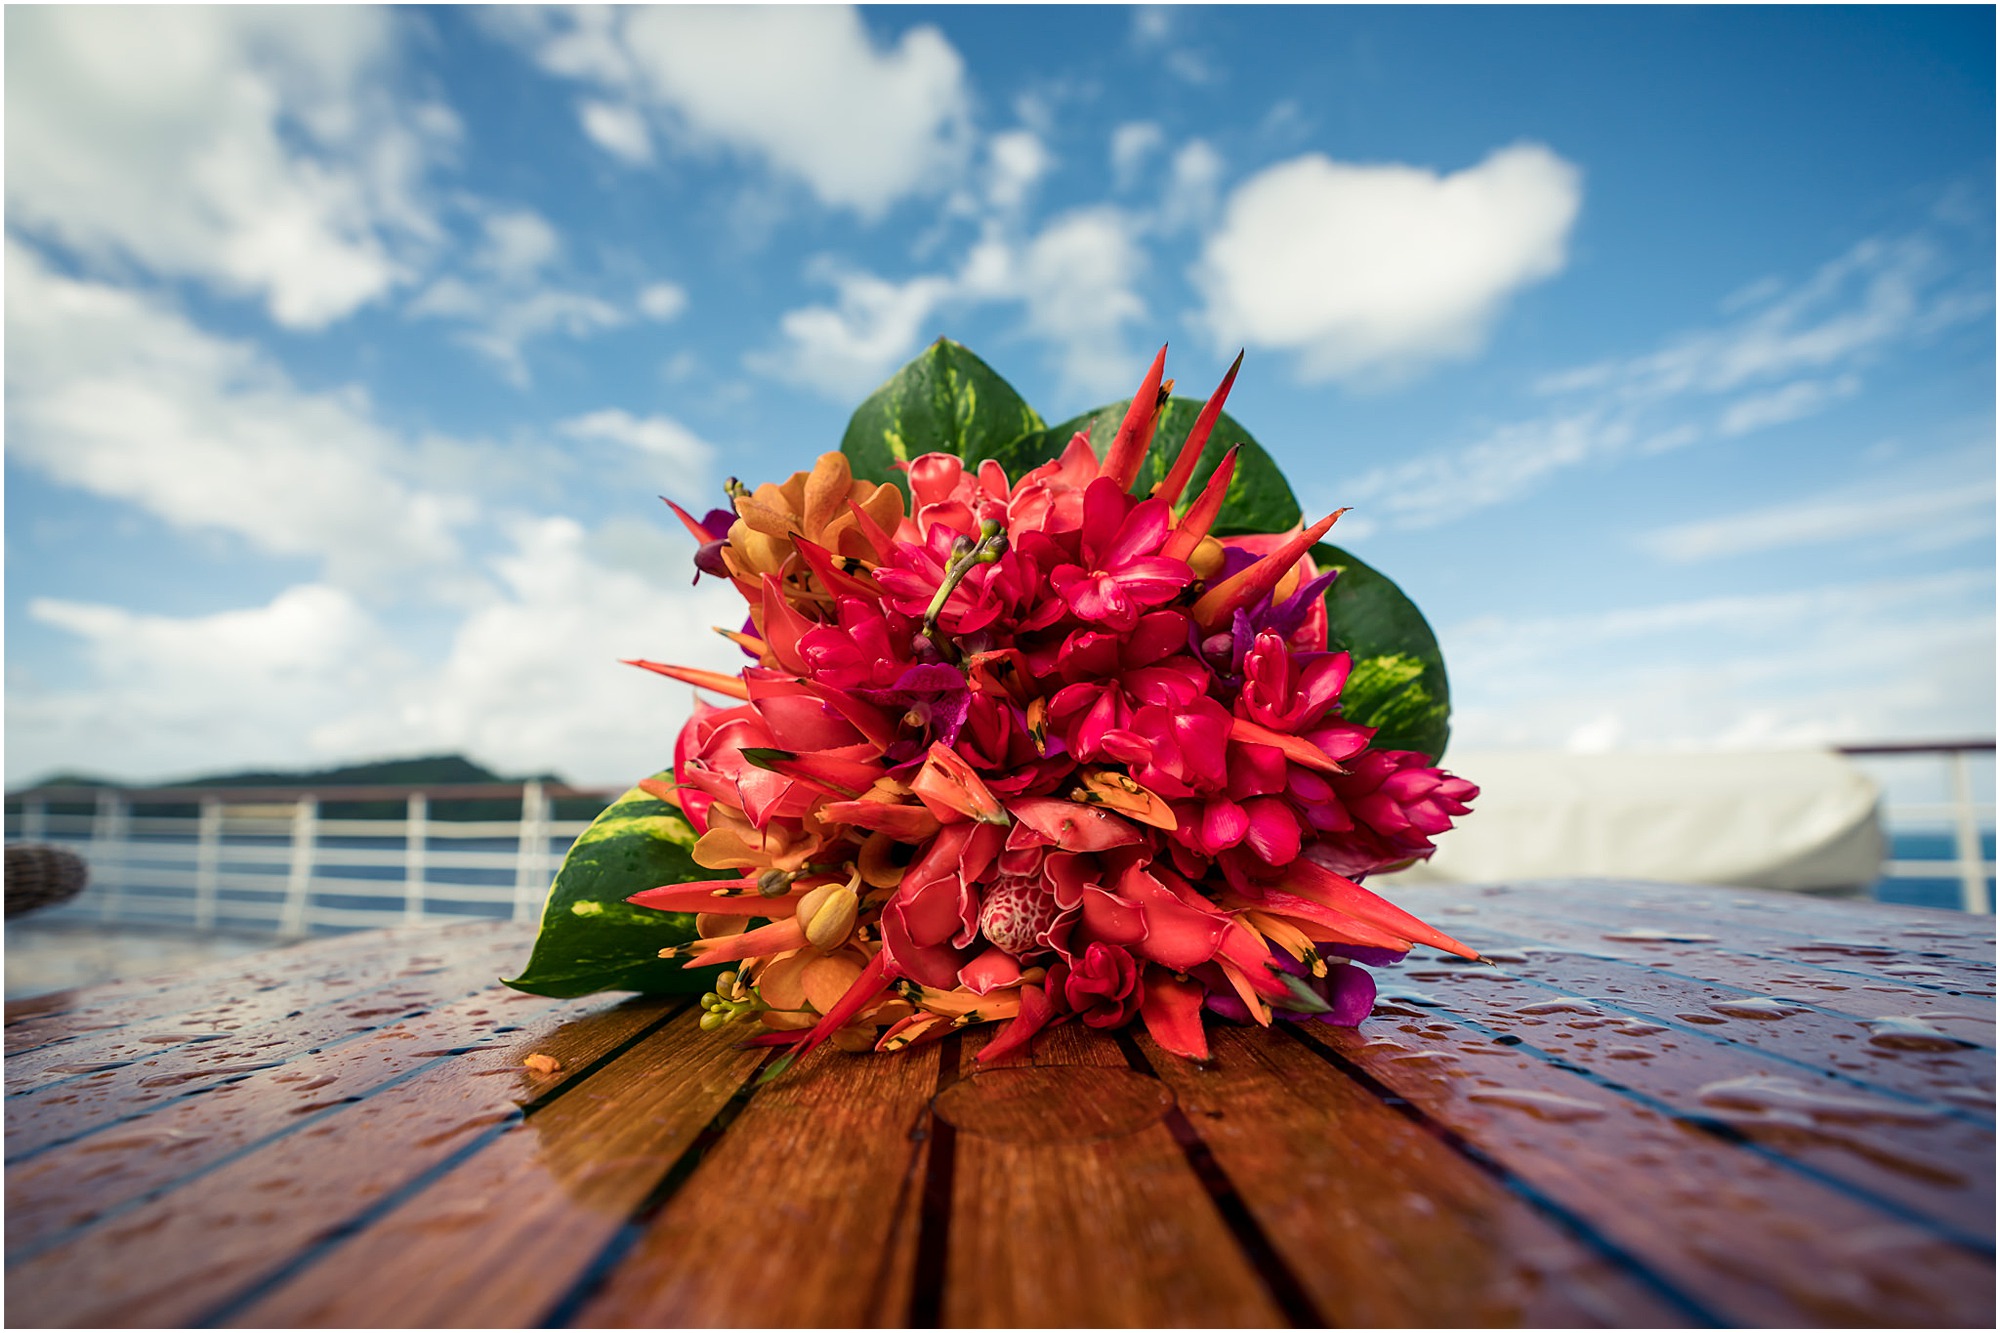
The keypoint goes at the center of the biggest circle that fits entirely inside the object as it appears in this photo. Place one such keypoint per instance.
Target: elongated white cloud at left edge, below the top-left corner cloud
(127, 399)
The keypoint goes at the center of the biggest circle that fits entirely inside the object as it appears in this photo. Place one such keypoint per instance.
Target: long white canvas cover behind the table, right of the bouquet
(1783, 820)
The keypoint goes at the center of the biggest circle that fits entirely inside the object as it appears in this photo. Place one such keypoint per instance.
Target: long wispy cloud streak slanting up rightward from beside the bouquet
(1787, 355)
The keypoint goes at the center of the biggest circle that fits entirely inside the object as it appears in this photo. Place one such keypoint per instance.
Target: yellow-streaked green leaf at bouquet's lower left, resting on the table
(597, 942)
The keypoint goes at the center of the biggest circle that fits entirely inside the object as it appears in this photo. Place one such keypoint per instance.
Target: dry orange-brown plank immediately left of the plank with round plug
(789, 1218)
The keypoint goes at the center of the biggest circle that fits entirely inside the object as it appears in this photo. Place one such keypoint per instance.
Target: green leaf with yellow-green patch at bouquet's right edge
(1399, 682)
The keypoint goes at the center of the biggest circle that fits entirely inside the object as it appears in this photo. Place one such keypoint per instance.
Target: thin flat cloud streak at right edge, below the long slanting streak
(1873, 515)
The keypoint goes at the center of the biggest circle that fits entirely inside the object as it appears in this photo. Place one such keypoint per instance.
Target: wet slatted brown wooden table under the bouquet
(1663, 1108)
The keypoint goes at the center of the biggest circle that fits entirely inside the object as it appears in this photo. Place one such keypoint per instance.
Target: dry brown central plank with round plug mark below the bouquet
(1073, 1204)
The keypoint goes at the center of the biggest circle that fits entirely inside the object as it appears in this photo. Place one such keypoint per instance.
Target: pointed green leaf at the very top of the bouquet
(945, 401)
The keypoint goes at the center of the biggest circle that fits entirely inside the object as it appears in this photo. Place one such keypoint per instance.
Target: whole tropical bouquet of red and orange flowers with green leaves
(1039, 726)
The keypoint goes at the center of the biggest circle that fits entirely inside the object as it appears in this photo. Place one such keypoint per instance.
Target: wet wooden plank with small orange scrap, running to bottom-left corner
(193, 1254)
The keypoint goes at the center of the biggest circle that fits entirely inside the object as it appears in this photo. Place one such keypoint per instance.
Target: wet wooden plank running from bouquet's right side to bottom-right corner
(1731, 1230)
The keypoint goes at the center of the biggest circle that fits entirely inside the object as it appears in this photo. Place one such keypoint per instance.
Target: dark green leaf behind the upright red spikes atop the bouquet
(1259, 501)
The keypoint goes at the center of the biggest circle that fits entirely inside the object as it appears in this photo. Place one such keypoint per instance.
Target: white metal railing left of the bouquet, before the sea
(287, 864)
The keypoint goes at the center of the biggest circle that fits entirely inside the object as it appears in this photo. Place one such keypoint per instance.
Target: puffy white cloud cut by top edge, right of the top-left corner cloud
(807, 91)
